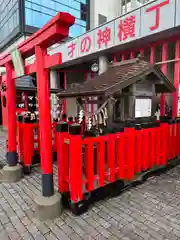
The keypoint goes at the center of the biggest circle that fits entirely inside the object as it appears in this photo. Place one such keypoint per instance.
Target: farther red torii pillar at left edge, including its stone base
(12, 172)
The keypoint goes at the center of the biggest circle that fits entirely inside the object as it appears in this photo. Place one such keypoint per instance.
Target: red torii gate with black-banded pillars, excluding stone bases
(54, 31)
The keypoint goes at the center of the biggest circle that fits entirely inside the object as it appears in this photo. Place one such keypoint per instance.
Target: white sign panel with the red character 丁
(157, 16)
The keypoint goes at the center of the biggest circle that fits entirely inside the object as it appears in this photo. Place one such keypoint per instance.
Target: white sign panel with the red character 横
(127, 28)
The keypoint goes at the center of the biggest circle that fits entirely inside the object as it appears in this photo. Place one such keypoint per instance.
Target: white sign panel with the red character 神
(104, 37)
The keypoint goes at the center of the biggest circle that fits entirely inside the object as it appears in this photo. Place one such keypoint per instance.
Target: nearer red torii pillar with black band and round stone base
(48, 204)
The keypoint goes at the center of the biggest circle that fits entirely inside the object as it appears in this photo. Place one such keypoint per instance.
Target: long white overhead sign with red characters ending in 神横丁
(152, 18)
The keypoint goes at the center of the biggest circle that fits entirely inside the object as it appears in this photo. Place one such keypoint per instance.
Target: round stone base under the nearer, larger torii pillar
(48, 208)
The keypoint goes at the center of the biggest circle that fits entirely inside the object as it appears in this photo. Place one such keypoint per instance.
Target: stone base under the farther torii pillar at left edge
(11, 174)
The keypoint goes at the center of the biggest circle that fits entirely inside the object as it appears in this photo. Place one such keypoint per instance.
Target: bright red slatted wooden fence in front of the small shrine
(85, 165)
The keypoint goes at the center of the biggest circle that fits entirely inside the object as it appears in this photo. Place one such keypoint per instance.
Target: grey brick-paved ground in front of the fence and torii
(150, 211)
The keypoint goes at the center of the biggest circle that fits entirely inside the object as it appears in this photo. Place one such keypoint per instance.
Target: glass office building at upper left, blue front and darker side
(21, 18)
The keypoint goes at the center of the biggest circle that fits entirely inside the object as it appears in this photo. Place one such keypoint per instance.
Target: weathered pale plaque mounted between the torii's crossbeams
(17, 62)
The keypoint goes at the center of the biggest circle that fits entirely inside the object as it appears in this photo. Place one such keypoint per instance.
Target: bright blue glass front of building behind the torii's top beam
(39, 12)
